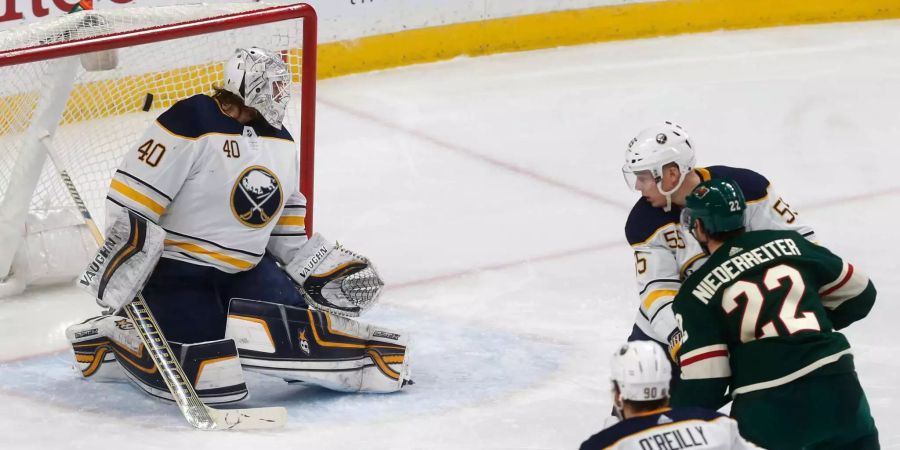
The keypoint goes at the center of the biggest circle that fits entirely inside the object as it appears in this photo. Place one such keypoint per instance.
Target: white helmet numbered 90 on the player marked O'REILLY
(641, 371)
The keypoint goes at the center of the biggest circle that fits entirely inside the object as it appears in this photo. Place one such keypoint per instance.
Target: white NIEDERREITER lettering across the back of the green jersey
(738, 264)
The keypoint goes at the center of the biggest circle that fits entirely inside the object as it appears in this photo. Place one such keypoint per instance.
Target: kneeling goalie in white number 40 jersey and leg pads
(217, 179)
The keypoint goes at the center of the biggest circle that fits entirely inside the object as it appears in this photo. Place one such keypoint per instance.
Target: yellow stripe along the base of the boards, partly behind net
(92, 100)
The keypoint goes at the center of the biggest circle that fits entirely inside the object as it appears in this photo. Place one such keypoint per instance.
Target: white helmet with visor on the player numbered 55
(654, 148)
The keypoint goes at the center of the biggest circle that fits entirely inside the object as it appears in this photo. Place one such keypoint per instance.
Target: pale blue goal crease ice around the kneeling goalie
(453, 366)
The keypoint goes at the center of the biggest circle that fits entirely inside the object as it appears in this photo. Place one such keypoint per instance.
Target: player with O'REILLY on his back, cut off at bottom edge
(640, 378)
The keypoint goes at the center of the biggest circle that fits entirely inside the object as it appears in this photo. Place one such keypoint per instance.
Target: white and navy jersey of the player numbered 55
(665, 254)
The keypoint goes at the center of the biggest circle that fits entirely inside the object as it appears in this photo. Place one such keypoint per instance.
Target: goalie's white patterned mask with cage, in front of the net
(262, 80)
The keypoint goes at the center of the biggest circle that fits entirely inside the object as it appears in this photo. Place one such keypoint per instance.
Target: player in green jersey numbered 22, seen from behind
(759, 319)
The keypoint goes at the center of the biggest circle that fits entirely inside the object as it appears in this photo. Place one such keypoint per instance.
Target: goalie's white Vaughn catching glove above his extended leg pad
(334, 279)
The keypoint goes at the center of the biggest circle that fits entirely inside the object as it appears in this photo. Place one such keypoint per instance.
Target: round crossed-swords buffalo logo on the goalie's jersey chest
(256, 196)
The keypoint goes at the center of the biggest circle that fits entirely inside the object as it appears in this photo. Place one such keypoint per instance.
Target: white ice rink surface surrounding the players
(489, 192)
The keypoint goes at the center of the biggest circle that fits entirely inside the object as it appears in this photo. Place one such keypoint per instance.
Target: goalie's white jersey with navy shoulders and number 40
(224, 192)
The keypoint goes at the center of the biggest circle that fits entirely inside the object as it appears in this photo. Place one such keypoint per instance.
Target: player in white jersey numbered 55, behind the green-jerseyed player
(661, 165)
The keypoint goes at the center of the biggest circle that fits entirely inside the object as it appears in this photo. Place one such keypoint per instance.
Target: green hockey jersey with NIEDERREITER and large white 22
(762, 312)
